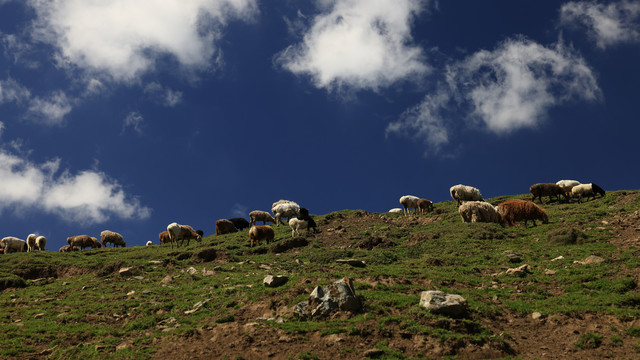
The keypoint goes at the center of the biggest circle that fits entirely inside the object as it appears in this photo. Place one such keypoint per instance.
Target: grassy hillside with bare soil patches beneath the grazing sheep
(206, 300)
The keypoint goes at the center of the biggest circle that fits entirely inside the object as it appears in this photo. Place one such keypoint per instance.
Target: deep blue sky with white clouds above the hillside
(130, 115)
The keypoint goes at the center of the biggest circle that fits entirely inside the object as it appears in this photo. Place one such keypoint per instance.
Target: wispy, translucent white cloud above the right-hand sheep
(504, 90)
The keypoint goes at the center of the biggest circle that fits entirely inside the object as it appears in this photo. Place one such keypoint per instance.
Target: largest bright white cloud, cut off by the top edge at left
(125, 38)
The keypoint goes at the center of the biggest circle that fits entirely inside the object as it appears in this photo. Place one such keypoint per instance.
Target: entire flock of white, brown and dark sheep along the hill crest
(471, 207)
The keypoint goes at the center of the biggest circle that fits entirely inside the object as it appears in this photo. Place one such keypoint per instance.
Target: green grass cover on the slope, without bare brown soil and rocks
(83, 302)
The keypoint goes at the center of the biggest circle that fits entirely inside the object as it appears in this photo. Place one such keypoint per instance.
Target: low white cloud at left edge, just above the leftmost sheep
(88, 197)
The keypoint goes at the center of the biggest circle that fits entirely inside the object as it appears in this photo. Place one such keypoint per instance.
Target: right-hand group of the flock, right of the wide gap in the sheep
(473, 208)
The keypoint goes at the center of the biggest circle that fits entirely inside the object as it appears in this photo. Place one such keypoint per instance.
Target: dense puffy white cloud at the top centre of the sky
(358, 44)
